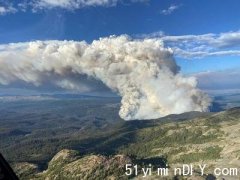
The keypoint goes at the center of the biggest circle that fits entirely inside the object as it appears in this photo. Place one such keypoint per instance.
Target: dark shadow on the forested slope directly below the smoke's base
(109, 143)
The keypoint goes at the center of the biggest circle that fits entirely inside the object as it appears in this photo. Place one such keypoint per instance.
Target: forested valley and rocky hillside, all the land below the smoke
(33, 133)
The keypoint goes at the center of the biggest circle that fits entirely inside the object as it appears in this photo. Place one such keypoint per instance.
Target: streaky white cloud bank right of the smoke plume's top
(199, 46)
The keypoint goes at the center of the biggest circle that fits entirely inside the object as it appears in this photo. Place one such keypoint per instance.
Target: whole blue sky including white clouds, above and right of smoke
(172, 20)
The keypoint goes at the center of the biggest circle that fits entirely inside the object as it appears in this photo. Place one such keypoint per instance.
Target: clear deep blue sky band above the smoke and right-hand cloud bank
(91, 22)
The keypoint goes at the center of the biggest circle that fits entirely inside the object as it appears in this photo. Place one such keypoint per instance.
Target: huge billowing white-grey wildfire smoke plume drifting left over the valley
(142, 72)
